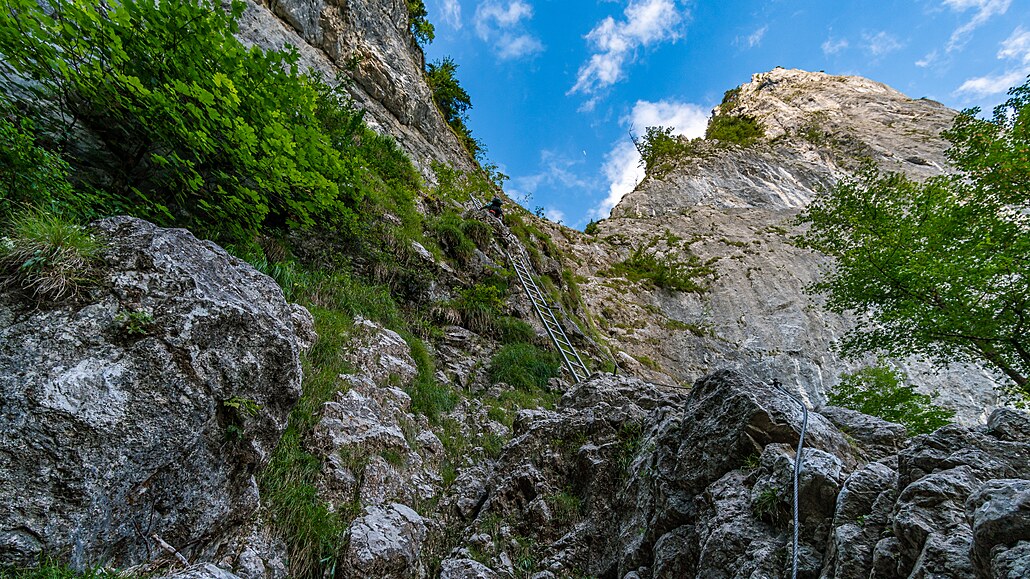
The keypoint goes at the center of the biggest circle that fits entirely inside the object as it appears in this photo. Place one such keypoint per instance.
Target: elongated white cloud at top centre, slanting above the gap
(615, 44)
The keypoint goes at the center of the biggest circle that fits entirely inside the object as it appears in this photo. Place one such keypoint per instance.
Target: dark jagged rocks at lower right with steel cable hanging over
(630, 480)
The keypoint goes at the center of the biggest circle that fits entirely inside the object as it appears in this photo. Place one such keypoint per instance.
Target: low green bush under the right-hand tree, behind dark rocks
(881, 392)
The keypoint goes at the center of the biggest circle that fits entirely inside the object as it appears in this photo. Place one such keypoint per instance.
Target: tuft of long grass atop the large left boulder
(48, 257)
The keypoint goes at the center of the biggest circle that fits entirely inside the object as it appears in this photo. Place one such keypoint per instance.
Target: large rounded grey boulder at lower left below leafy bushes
(148, 412)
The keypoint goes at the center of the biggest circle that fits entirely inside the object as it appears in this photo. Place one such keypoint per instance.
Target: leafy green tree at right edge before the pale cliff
(939, 268)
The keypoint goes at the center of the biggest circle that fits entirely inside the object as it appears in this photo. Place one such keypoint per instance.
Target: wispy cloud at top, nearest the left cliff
(502, 25)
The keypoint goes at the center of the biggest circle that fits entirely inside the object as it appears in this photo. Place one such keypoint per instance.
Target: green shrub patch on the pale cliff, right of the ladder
(679, 270)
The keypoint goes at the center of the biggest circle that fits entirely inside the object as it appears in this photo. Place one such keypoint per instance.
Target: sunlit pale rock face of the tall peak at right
(733, 208)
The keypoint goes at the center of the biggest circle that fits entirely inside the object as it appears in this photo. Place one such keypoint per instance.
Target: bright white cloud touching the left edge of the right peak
(623, 163)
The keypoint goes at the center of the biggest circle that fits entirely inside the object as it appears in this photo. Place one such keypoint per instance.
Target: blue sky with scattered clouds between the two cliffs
(560, 86)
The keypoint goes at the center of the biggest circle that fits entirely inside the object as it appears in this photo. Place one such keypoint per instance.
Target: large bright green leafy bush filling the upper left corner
(192, 128)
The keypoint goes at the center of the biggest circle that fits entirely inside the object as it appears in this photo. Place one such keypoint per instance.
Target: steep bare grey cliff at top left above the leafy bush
(369, 43)
